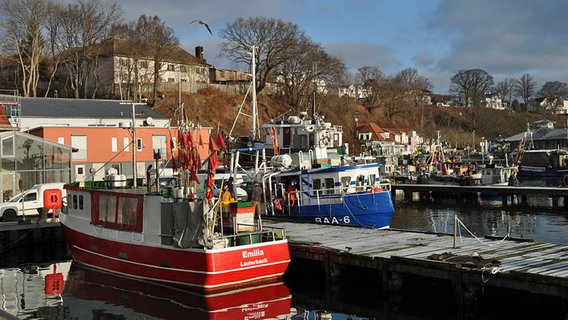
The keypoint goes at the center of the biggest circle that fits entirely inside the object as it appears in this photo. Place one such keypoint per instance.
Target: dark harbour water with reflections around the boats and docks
(88, 294)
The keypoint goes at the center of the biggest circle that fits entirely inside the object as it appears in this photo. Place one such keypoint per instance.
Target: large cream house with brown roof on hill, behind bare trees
(125, 68)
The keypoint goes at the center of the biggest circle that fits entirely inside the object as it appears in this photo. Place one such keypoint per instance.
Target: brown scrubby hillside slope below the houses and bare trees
(457, 126)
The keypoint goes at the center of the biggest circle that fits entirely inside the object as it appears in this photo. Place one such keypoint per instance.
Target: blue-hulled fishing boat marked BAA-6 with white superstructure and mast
(307, 175)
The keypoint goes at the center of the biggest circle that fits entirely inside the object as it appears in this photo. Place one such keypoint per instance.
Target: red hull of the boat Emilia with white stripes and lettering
(205, 270)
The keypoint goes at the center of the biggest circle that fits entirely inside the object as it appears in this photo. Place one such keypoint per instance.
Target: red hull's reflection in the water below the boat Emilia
(91, 295)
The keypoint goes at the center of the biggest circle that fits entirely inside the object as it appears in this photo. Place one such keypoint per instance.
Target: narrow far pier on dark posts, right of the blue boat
(509, 195)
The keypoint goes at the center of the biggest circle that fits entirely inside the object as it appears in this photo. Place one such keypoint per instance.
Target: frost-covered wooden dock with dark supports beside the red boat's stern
(394, 255)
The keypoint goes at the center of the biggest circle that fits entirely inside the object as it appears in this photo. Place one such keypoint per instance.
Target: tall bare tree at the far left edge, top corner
(22, 21)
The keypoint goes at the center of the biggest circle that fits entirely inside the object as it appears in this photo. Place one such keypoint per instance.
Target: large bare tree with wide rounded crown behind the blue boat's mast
(272, 38)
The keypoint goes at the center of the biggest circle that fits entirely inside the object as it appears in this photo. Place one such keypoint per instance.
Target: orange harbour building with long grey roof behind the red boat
(102, 136)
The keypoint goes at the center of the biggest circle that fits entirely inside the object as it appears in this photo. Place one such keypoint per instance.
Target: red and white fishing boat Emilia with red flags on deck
(178, 236)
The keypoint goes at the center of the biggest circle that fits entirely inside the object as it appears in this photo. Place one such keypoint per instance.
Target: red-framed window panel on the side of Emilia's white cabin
(118, 211)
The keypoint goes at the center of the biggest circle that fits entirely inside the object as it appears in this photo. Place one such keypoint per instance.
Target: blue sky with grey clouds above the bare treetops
(438, 38)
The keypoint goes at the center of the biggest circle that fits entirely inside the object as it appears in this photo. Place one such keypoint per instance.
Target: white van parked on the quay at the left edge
(29, 202)
